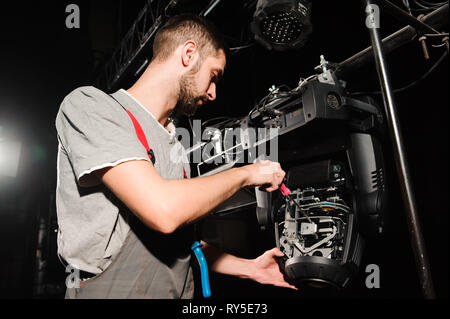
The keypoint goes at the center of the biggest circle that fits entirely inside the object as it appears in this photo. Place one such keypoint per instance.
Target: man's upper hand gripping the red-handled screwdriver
(267, 174)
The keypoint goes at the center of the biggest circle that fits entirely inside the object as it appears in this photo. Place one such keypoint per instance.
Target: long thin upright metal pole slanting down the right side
(416, 237)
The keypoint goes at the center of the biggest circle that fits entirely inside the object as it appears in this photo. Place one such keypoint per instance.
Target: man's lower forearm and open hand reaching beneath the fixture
(263, 269)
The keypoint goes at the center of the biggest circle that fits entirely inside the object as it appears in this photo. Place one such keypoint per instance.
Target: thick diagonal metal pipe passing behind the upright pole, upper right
(436, 19)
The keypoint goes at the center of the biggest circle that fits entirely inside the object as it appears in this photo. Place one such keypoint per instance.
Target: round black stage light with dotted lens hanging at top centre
(282, 24)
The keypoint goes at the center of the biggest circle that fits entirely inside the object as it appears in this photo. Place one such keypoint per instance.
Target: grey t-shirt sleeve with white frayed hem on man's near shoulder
(96, 132)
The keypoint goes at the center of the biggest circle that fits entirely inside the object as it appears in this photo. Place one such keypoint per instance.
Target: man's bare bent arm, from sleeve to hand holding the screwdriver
(166, 205)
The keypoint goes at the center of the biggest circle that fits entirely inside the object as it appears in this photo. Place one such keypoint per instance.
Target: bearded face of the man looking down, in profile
(198, 85)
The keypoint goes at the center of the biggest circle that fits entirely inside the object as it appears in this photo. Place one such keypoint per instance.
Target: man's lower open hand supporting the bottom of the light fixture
(267, 271)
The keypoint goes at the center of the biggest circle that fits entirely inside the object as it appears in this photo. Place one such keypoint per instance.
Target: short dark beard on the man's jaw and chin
(188, 99)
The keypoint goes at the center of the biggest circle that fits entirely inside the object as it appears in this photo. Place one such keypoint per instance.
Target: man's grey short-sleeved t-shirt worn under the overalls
(94, 132)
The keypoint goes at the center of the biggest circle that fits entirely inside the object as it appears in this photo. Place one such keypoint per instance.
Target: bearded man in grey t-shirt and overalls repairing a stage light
(125, 219)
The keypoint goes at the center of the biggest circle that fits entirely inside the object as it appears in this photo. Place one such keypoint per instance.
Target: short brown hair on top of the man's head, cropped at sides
(183, 27)
